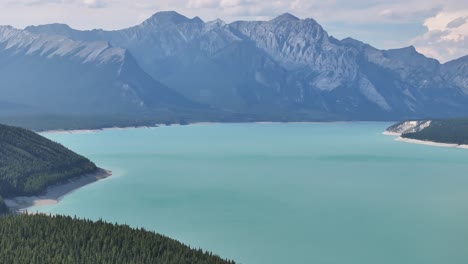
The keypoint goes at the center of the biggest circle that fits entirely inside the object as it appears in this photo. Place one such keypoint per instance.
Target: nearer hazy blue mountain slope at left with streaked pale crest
(42, 74)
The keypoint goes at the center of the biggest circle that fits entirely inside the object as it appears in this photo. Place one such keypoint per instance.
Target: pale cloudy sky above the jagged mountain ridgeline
(437, 28)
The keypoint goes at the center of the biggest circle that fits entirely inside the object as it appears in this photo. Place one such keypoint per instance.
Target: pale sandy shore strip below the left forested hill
(54, 194)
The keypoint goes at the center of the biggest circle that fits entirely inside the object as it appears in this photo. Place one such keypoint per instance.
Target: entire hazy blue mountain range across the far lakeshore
(286, 69)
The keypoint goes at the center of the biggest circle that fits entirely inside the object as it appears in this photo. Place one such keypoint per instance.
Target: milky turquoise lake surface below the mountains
(339, 193)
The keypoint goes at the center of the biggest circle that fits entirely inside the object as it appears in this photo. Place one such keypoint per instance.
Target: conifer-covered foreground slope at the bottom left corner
(61, 239)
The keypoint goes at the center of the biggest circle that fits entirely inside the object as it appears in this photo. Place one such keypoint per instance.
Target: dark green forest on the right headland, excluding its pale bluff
(453, 131)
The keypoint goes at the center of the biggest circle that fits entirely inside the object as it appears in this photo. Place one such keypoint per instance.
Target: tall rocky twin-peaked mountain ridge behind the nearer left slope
(285, 66)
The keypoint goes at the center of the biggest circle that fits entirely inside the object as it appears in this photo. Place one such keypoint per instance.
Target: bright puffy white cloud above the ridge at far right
(446, 37)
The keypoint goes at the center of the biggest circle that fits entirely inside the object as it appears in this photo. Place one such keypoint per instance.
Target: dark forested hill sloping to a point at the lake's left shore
(29, 163)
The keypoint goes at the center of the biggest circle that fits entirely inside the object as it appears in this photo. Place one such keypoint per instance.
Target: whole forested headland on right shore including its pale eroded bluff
(451, 131)
